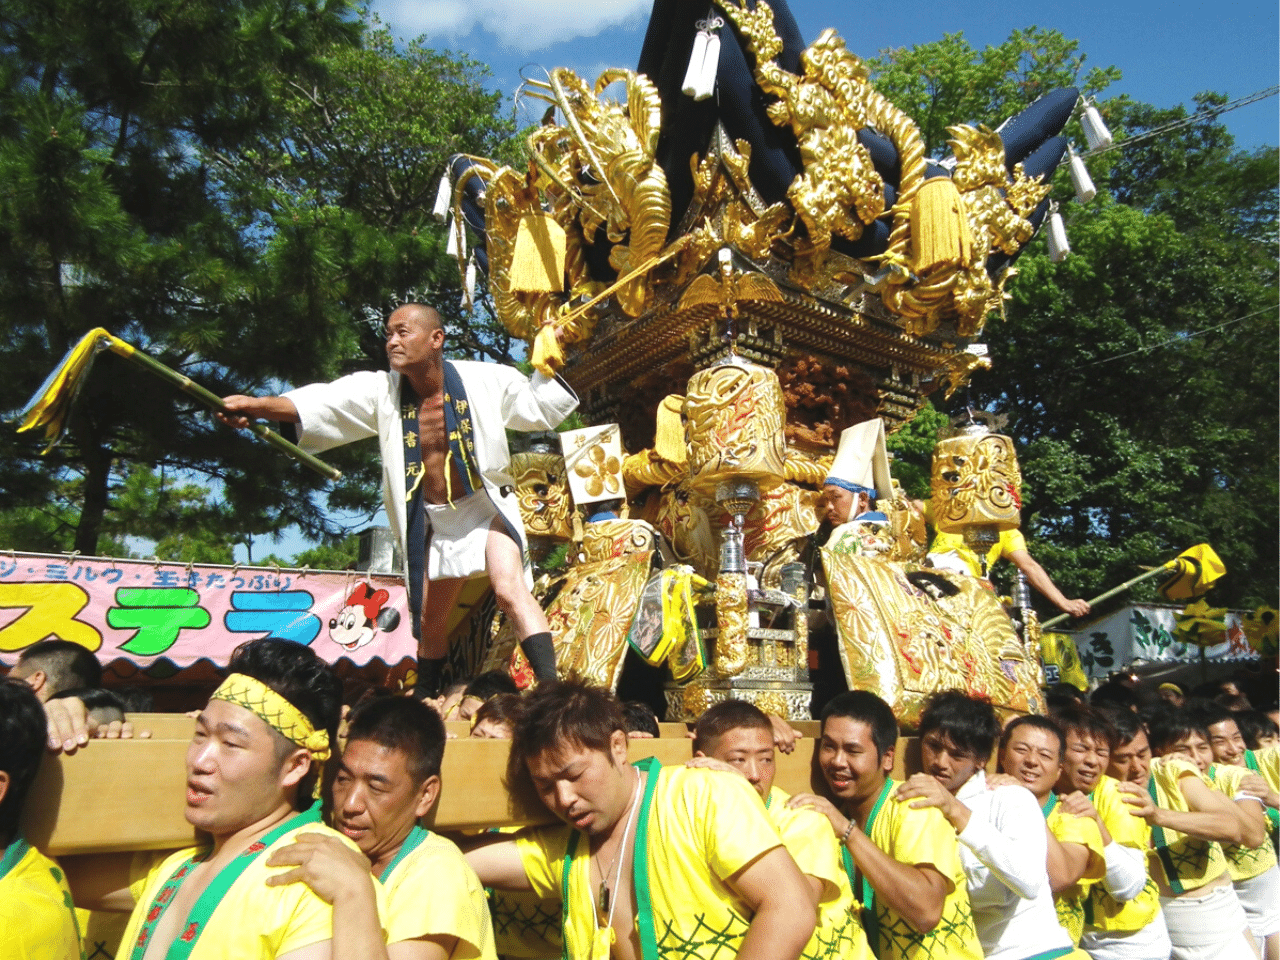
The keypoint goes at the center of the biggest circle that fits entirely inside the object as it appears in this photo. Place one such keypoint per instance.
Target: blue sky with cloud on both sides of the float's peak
(1168, 52)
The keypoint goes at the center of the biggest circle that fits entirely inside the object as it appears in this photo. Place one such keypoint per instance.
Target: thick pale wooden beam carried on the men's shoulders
(117, 796)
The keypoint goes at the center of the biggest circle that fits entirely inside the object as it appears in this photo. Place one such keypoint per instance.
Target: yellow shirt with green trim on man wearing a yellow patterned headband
(253, 921)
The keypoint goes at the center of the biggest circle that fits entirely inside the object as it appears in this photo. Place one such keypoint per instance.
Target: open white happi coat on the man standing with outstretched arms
(368, 405)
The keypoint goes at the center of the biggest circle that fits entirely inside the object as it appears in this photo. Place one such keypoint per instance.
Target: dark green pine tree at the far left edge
(109, 218)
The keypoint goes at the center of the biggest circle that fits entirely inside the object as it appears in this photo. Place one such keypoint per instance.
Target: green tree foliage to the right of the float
(1140, 374)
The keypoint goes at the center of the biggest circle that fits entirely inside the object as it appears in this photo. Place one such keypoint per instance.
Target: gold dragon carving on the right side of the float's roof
(839, 191)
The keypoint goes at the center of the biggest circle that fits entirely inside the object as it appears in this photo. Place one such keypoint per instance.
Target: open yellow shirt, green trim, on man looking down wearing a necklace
(696, 830)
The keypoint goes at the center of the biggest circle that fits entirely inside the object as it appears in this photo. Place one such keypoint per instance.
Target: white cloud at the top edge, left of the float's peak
(522, 25)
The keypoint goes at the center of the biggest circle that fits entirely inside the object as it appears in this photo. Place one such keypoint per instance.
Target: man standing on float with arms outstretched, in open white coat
(447, 486)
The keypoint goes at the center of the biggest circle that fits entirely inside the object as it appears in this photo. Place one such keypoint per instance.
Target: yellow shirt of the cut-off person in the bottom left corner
(38, 921)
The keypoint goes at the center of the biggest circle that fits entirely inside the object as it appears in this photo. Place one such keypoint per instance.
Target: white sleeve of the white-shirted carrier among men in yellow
(1011, 842)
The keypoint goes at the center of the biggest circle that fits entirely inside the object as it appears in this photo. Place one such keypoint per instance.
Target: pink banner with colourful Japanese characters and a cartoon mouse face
(148, 611)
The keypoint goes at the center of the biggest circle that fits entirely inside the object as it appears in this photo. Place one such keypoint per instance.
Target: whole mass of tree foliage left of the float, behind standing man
(232, 188)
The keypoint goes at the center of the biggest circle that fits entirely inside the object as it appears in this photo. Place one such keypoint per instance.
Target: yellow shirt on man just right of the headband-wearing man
(431, 892)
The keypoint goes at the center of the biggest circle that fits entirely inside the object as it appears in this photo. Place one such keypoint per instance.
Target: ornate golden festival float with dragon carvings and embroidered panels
(723, 342)
